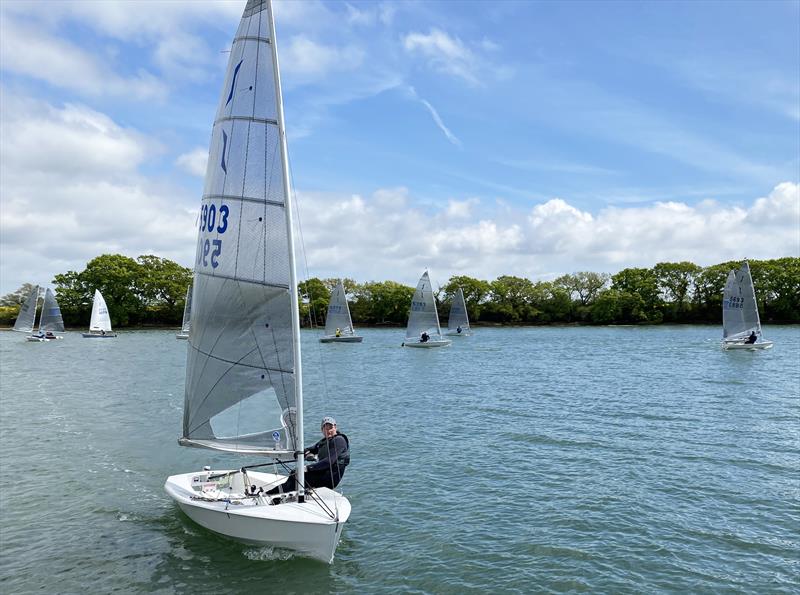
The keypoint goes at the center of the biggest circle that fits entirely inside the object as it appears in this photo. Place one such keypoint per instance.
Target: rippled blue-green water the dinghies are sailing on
(602, 460)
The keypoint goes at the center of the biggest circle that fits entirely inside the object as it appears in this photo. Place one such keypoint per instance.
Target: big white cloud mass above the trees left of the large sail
(71, 190)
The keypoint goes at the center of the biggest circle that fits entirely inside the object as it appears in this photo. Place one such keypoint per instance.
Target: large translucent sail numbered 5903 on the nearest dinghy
(240, 380)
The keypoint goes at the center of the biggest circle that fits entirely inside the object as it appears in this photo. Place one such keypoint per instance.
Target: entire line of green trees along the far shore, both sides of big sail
(151, 290)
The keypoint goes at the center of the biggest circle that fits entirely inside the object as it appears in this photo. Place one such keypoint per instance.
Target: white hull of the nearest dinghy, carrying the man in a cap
(306, 528)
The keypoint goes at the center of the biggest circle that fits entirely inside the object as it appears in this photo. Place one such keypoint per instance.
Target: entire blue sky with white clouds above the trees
(468, 138)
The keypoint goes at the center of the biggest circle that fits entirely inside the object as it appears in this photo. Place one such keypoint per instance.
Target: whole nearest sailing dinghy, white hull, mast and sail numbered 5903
(244, 375)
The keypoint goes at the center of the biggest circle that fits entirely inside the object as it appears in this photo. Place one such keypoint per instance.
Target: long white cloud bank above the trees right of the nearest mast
(387, 236)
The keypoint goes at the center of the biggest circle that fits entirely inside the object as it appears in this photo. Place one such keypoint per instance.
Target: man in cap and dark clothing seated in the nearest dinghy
(333, 456)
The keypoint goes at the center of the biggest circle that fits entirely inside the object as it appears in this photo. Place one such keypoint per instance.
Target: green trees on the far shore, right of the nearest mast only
(680, 292)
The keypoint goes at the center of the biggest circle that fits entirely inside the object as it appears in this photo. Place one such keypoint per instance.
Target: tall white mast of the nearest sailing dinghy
(298, 375)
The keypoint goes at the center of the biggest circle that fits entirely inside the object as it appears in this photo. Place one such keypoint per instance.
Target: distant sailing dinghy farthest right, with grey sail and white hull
(741, 326)
